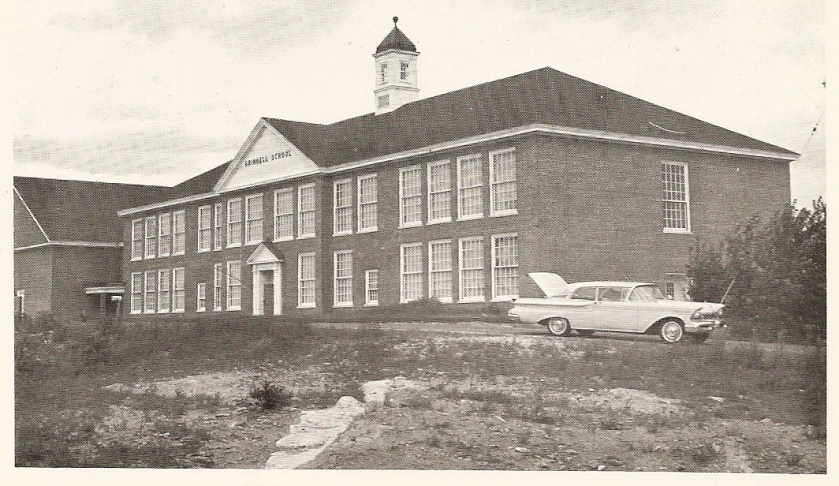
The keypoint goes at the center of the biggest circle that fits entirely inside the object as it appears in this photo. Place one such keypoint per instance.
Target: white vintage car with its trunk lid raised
(631, 307)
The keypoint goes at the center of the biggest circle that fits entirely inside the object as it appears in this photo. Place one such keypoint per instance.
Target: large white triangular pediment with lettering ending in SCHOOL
(266, 156)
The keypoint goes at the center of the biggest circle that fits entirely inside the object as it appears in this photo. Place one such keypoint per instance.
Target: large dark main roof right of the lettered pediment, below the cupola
(541, 96)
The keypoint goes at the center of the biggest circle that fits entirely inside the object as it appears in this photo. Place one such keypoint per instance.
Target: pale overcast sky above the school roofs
(159, 91)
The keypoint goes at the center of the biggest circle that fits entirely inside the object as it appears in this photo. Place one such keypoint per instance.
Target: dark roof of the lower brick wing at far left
(84, 210)
